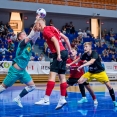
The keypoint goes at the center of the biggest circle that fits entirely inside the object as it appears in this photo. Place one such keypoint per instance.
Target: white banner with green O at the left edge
(4, 66)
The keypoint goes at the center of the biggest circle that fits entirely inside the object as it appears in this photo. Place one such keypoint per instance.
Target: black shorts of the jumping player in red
(59, 66)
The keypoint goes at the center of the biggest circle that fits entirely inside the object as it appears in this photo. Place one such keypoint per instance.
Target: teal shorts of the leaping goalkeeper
(14, 75)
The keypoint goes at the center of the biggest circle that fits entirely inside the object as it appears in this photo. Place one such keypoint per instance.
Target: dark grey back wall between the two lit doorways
(59, 20)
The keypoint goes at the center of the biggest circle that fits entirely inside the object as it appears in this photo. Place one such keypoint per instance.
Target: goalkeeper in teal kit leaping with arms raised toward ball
(17, 70)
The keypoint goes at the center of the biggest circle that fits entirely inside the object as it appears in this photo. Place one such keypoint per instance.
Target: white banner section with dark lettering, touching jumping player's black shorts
(43, 67)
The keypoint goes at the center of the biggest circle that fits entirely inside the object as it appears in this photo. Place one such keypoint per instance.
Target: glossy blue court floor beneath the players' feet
(105, 107)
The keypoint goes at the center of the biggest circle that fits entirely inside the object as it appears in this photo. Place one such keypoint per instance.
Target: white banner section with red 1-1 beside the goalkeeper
(32, 67)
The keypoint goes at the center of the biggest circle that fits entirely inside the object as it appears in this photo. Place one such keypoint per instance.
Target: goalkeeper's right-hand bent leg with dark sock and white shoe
(26, 79)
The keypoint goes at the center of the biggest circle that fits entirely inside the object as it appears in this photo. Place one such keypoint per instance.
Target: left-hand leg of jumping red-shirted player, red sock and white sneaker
(49, 87)
